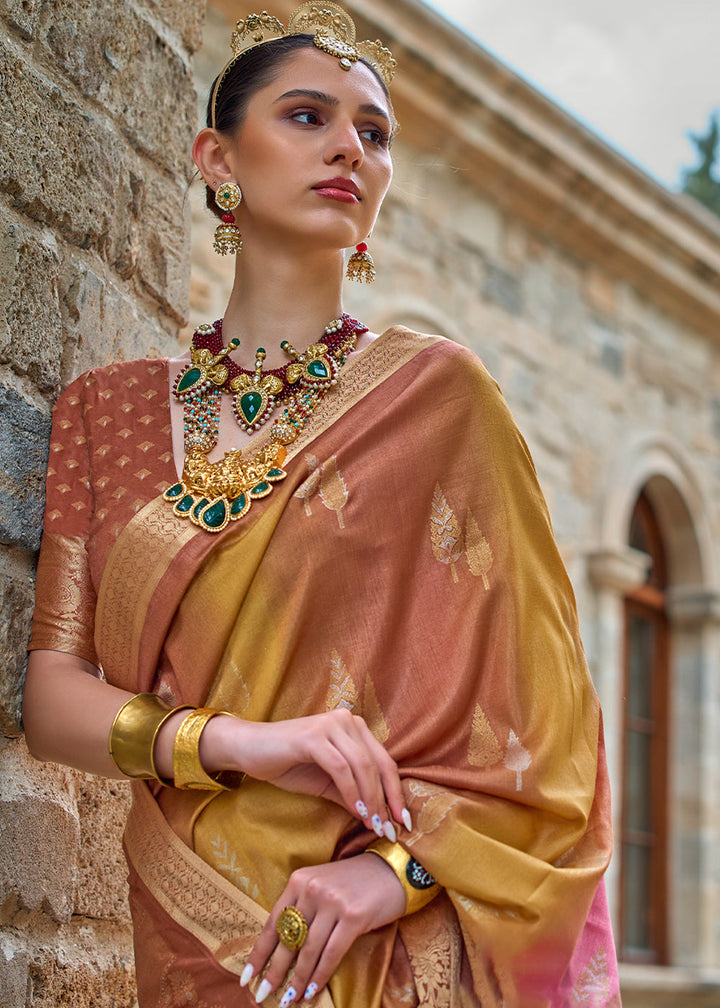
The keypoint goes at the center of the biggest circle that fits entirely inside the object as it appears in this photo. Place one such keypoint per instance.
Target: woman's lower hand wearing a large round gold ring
(340, 902)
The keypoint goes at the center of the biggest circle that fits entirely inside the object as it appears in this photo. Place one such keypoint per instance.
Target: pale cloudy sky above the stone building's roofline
(641, 74)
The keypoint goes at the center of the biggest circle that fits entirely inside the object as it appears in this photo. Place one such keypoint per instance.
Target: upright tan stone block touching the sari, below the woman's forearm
(102, 872)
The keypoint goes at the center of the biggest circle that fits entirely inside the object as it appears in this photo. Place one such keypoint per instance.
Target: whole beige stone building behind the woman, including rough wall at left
(592, 295)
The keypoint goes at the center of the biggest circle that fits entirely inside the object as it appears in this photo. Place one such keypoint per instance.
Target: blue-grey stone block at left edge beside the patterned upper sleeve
(25, 434)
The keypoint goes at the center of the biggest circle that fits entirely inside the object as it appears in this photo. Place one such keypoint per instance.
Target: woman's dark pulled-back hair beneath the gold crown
(252, 72)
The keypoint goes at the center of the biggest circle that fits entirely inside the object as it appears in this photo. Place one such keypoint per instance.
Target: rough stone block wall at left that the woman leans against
(97, 114)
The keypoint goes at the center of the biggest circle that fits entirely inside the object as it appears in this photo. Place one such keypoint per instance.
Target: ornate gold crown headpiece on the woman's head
(333, 32)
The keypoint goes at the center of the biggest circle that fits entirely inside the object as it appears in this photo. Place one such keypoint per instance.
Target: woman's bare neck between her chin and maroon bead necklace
(284, 297)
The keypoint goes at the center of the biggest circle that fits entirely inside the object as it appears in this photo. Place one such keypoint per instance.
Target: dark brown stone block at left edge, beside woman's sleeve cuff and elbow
(17, 600)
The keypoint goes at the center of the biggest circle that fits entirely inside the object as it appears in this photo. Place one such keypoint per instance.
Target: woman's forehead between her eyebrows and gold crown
(313, 70)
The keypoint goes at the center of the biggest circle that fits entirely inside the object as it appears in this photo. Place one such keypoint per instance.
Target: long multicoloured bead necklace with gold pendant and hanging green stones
(211, 494)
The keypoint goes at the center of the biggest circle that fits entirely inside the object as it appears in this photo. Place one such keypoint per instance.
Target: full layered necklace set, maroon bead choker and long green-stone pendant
(211, 494)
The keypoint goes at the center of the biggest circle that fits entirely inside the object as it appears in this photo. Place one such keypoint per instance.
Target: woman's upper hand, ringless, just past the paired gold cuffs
(333, 755)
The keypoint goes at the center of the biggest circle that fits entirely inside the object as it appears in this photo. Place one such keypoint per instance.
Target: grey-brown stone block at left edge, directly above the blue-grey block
(31, 323)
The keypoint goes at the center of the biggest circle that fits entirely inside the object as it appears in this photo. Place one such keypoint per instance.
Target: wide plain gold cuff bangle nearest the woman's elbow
(134, 734)
